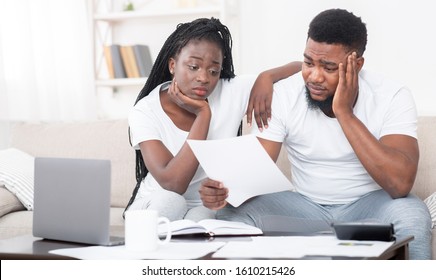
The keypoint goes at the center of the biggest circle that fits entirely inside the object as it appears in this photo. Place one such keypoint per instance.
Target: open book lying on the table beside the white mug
(209, 227)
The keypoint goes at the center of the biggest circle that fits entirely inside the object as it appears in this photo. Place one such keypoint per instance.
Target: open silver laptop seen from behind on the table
(72, 200)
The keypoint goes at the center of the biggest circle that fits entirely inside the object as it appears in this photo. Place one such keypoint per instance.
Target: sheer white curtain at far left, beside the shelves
(46, 71)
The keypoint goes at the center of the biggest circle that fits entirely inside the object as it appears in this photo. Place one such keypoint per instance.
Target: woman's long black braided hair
(211, 30)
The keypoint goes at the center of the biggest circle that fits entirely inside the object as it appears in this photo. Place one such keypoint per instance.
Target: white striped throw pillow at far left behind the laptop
(16, 174)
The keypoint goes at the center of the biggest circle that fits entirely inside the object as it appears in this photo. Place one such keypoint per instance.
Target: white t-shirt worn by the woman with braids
(148, 121)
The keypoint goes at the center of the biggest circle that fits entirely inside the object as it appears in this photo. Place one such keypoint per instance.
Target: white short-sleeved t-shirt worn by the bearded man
(323, 164)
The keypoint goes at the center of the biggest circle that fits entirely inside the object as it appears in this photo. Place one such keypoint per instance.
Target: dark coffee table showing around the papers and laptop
(27, 247)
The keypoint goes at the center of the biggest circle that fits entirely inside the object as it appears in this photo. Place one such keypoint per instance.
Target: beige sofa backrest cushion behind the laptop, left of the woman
(106, 139)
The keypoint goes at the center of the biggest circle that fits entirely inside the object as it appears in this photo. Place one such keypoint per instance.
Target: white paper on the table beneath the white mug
(170, 251)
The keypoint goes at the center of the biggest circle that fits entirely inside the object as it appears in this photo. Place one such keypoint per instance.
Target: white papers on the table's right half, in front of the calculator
(282, 247)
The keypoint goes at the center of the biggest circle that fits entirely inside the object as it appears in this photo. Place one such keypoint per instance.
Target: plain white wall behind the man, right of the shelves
(401, 38)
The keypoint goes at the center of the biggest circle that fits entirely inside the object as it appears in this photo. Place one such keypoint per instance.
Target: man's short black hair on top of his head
(337, 26)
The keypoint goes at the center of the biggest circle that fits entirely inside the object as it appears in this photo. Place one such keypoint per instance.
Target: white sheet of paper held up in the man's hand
(242, 164)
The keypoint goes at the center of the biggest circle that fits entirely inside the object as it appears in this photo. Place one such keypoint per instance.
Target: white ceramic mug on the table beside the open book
(141, 230)
